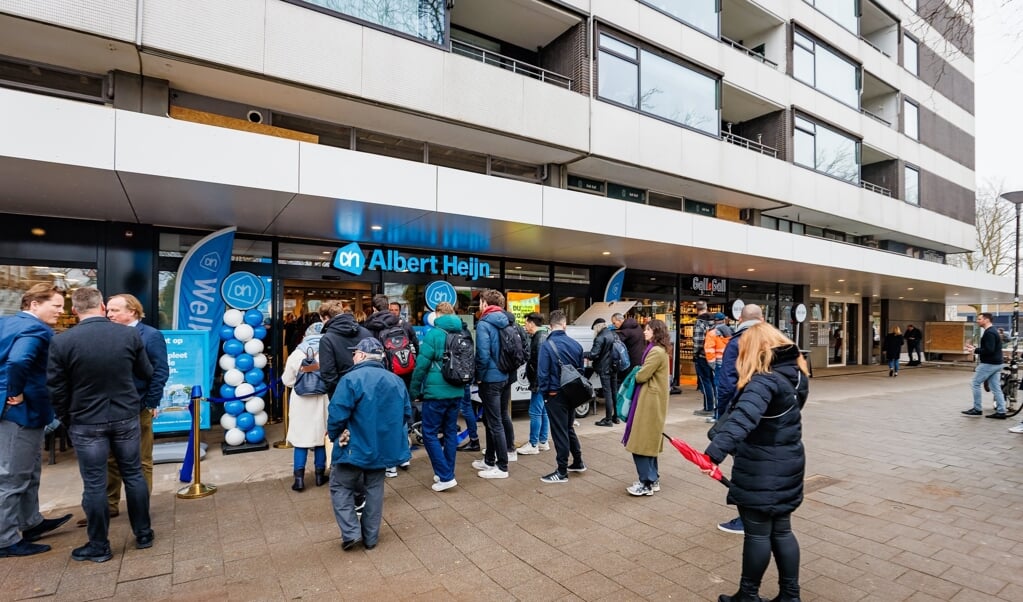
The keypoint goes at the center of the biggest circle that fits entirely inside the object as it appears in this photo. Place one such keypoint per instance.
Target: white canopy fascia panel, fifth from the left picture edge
(583, 212)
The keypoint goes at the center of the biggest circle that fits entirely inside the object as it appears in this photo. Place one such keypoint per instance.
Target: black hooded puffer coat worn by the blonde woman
(765, 432)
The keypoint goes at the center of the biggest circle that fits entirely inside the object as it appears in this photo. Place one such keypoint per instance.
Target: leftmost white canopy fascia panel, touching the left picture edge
(56, 131)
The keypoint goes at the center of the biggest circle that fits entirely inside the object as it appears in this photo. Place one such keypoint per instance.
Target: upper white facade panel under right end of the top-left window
(404, 73)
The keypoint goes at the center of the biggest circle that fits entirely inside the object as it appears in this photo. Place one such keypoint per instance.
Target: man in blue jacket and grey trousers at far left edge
(25, 341)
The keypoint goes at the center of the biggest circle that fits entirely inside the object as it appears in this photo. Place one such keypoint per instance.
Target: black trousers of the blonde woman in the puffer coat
(767, 535)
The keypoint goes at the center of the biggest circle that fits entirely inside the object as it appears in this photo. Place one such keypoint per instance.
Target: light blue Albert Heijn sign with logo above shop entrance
(351, 260)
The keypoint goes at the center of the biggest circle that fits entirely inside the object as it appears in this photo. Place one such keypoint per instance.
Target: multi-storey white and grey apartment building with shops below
(782, 153)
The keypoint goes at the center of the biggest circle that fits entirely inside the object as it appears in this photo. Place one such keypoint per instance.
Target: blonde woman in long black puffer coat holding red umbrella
(765, 433)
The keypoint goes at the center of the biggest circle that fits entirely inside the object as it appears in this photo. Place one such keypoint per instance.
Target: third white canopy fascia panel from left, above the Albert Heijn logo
(337, 174)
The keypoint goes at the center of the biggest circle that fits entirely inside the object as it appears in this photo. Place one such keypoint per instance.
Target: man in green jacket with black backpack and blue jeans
(447, 364)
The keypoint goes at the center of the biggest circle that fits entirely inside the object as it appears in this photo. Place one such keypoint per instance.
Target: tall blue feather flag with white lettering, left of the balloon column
(198, 305)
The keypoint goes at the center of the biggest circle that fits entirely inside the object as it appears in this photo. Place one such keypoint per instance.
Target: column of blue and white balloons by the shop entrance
(243, 363)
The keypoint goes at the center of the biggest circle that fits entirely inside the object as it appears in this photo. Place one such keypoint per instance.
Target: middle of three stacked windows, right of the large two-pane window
(816, 65)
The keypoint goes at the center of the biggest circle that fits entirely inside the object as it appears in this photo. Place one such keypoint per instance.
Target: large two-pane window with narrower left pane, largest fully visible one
(658, 87)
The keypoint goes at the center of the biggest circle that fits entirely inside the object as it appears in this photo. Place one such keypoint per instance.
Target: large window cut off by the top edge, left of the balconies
(426, 20)
